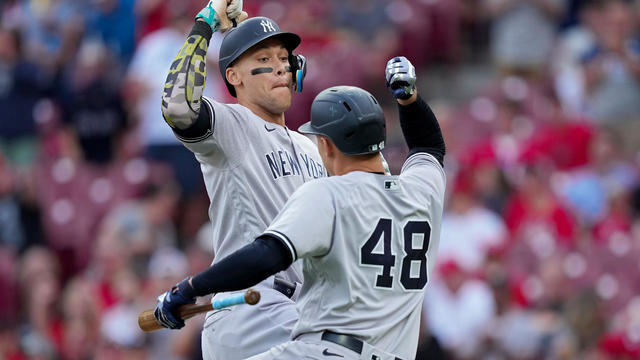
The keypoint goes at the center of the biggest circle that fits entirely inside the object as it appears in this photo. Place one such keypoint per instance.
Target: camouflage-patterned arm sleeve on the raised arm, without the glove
(183, 88)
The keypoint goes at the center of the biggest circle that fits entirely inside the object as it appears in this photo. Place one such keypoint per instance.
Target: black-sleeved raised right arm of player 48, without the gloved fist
(420, 127)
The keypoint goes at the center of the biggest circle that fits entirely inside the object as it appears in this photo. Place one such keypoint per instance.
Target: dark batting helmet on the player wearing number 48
(350, 117)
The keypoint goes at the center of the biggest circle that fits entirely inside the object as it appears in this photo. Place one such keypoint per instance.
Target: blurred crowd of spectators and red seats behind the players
(101, 209)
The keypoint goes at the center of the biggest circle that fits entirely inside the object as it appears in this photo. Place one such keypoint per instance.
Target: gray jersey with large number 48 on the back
(369, 243)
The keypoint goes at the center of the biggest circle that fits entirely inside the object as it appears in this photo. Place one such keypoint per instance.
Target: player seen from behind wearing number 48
(368, 240)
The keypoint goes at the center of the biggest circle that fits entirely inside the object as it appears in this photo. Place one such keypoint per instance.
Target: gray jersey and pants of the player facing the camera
(250, 168)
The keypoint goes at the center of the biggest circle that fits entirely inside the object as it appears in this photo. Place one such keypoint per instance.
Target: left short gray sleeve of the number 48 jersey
(305, 224)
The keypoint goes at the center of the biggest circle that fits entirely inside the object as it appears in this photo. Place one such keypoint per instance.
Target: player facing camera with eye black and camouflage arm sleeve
(251, 162)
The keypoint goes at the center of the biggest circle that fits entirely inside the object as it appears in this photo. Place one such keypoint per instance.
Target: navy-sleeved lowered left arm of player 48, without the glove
(246, 267)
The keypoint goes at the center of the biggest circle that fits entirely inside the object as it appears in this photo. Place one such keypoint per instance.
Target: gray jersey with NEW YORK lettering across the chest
(250, 169)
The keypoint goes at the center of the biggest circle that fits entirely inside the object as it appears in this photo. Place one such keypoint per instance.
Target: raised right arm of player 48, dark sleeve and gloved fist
(419, 125)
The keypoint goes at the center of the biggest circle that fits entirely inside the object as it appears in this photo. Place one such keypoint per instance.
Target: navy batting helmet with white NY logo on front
(247, 34)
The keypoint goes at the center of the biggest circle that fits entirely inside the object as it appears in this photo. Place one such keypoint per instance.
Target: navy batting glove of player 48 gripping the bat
(166, 312)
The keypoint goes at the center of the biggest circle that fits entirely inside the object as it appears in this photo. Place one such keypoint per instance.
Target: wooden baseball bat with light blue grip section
(147, 321)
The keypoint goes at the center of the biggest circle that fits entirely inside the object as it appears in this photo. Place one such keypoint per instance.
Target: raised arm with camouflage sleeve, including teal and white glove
(182, 96)
